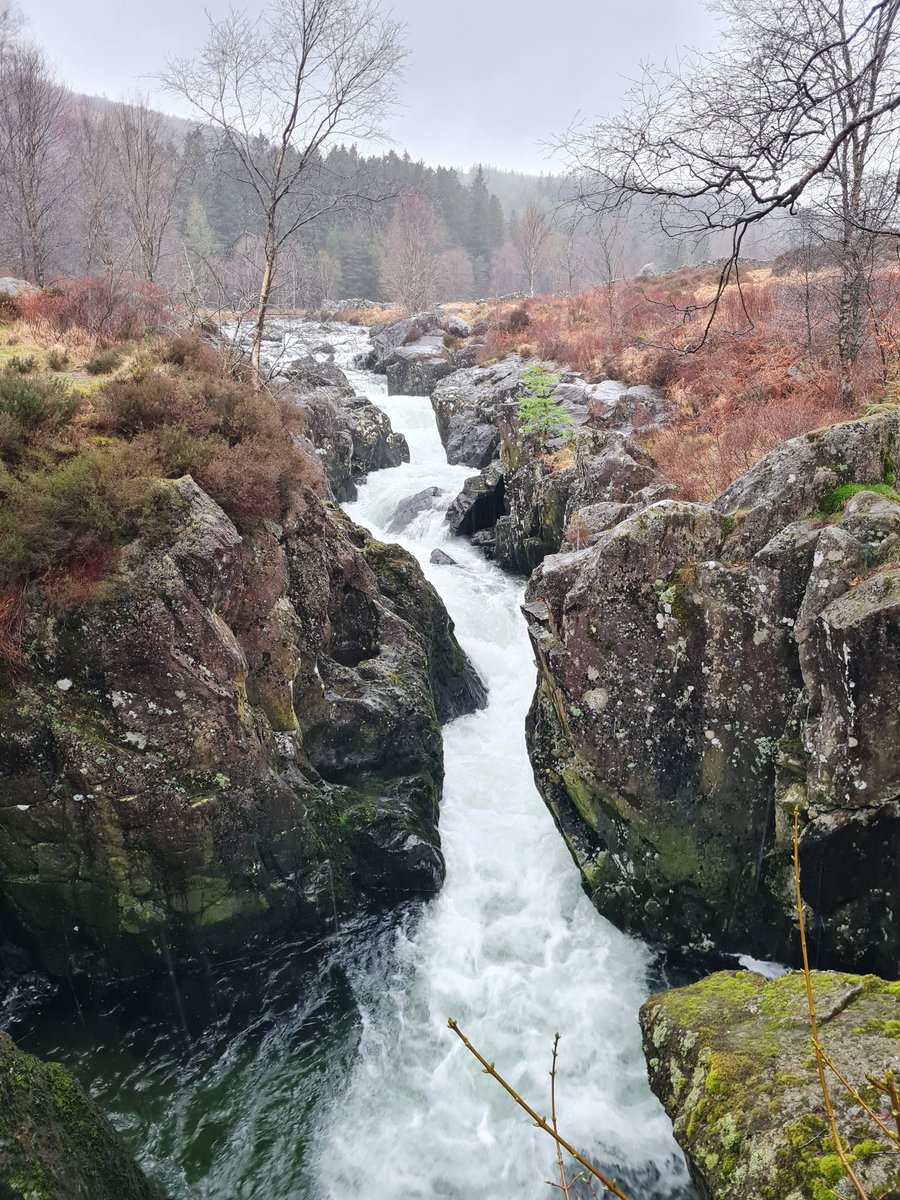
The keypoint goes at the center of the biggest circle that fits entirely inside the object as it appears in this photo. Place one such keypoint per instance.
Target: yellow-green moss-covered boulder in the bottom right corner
(730, 1060)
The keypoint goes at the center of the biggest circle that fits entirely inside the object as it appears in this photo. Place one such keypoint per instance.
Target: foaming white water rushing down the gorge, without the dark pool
(512, 949)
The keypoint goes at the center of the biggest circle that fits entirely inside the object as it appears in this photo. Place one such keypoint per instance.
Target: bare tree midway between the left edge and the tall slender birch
(152, 172)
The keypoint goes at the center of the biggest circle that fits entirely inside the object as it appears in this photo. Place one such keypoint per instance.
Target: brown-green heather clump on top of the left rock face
(81, 476)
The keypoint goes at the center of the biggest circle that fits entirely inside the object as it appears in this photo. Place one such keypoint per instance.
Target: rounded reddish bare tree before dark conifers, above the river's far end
(410, 263)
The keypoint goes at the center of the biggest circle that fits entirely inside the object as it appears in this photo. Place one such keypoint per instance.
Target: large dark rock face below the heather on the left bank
(237, 736)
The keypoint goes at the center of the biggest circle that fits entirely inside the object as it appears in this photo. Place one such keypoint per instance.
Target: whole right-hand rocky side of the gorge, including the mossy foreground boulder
(704, 673)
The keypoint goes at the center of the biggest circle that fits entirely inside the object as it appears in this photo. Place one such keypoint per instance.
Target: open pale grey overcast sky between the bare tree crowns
(488, 81)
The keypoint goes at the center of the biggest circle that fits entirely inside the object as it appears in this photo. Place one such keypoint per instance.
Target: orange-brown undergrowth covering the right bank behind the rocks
(766, 373)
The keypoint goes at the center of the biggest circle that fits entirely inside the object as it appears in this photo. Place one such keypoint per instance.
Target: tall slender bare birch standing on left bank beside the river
(279, 88)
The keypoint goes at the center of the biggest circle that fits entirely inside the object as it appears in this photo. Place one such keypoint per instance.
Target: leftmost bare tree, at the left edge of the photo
(34, 110)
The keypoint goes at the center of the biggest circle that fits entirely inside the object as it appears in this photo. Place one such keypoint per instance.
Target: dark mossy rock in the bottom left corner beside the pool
(55, 1142)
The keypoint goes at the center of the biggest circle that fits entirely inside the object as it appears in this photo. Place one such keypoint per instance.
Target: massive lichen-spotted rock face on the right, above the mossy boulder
(697, 683)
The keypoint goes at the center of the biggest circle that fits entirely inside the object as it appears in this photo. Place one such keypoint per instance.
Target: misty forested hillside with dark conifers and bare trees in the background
(117, 188)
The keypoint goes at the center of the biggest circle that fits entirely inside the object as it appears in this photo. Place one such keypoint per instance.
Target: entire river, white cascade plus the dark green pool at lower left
(328, 1072)
